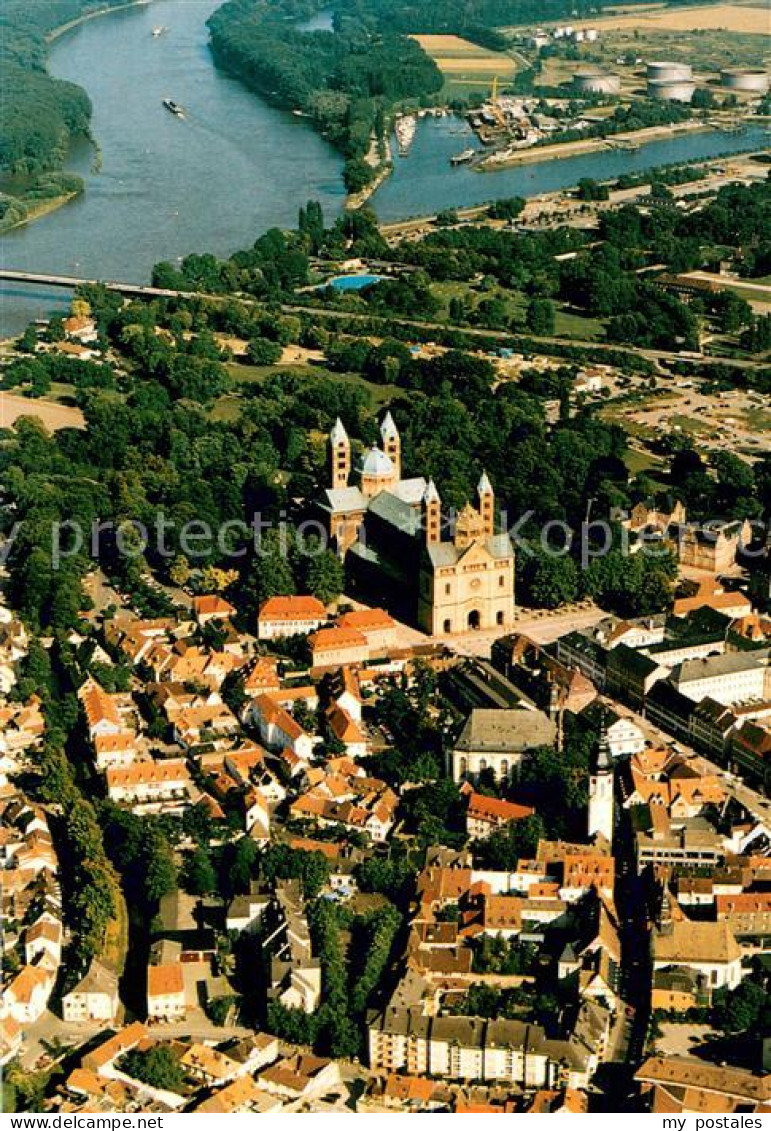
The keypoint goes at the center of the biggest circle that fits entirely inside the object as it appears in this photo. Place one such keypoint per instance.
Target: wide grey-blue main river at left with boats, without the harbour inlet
(232, 169)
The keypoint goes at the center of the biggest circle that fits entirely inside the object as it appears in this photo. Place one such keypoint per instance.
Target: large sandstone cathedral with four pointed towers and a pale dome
(446, 574)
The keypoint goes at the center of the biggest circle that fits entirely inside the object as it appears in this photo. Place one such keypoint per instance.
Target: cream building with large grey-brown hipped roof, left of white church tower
(498, 740)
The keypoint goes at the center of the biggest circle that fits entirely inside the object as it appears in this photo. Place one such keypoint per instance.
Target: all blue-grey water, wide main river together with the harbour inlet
(235, 167)
